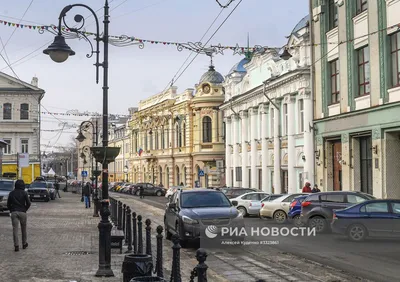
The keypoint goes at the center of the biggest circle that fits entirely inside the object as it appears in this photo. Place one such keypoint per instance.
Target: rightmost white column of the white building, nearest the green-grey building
(308, 140)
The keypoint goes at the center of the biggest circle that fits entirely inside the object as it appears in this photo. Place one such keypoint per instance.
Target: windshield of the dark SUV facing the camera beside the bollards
(204, 200)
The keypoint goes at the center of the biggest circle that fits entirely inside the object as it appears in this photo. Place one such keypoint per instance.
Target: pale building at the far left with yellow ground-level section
(20, 126)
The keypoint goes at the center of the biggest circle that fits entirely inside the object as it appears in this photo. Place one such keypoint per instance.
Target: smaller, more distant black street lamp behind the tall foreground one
(84, 127)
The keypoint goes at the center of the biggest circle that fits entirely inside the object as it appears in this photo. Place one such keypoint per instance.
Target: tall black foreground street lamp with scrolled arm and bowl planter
(59, 51)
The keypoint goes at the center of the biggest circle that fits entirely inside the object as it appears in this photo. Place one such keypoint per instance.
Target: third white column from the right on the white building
(277, 151)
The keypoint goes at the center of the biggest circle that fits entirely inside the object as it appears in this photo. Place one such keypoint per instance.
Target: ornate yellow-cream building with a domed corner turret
(178, 138)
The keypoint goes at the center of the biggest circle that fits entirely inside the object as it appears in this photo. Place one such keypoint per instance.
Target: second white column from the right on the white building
(292, 179)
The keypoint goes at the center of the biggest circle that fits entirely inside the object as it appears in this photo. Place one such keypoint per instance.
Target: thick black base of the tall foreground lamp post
(105, 227)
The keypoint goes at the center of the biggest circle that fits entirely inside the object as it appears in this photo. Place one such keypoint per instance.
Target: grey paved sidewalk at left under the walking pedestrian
(57, 232)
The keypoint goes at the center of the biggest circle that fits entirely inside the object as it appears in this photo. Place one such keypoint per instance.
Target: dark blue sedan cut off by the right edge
(374, 218)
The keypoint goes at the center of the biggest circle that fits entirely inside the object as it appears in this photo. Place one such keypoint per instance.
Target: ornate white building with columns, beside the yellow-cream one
(268, 118)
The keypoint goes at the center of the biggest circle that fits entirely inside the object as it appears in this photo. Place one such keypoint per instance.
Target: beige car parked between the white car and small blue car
(278, 209)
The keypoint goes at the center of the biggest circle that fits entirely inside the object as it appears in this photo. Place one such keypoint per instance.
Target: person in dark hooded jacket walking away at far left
(18, 204)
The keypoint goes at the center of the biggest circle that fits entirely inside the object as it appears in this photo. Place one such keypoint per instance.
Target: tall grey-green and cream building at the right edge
(357, 95)
